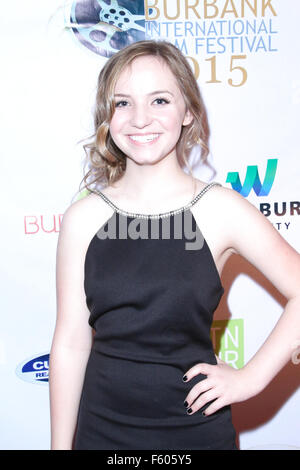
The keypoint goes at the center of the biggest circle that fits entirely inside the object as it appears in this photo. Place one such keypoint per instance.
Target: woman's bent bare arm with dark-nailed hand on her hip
(252, 236)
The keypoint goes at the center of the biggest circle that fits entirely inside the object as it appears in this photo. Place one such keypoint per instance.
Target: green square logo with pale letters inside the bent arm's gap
(228, 341)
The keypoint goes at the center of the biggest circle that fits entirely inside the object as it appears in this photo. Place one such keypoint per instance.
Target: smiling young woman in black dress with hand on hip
(149, 378)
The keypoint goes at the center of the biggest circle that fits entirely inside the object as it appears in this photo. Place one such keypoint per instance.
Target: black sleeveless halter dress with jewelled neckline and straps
(151, 287)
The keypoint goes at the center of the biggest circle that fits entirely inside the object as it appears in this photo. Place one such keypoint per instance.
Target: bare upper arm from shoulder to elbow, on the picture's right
(251, 234)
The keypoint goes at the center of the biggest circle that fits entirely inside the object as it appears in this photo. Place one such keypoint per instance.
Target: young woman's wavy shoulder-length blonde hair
(105, 162)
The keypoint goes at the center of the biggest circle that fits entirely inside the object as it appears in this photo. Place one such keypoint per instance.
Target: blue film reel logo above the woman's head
(106, 26)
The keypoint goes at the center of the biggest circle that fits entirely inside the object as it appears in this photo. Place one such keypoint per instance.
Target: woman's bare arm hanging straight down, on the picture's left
(72, 338)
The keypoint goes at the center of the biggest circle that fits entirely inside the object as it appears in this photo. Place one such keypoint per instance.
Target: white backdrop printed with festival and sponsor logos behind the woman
(245, 55)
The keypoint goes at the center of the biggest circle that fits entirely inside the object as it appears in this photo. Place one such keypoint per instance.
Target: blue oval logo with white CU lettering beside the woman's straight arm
(34, 370)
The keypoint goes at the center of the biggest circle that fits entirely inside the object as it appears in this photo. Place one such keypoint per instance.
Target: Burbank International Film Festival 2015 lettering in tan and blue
(217, 36)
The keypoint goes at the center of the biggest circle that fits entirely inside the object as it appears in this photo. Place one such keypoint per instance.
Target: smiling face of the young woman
(149, 111)
